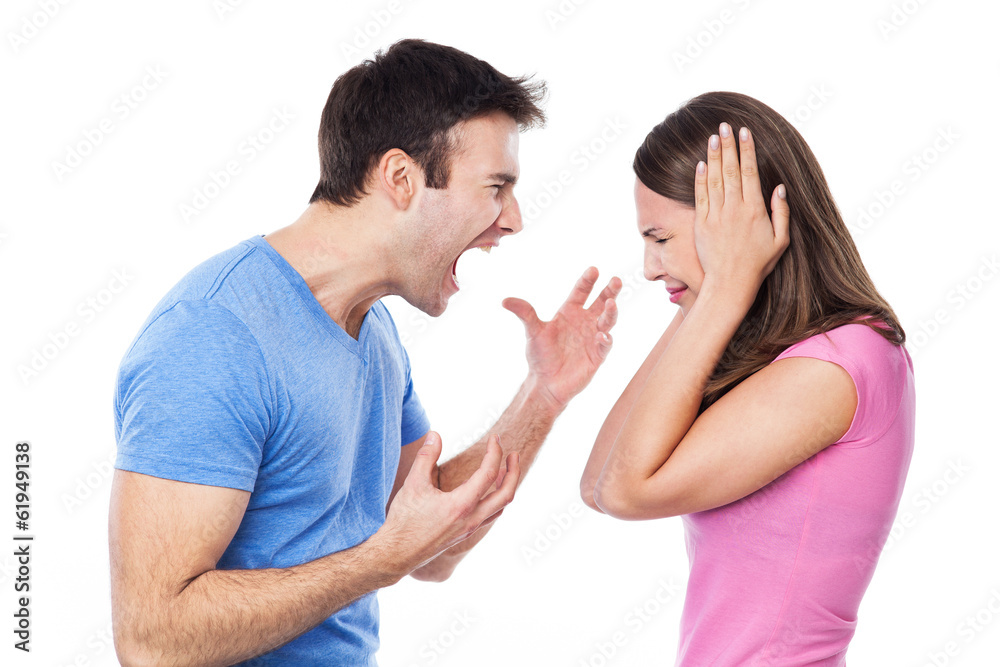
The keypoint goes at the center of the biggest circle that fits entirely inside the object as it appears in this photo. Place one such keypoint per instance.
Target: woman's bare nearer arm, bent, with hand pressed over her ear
(738, 245)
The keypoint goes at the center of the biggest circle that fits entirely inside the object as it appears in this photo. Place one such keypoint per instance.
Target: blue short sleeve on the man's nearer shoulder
(192, 399)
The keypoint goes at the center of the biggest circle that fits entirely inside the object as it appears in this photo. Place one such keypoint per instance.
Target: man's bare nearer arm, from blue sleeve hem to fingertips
(170, 606)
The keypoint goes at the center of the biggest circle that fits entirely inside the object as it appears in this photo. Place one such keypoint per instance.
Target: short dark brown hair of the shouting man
(409, 97)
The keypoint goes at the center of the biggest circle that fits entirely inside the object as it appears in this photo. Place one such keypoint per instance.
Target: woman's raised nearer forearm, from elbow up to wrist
(668, 402)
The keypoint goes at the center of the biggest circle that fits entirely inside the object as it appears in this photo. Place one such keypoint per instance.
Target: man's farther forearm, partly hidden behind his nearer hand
(522, 427)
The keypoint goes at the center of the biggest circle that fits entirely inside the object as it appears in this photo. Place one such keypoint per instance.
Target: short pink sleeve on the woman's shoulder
(873, 363)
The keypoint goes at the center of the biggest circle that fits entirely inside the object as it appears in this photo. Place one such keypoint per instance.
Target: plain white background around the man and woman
(870, 84)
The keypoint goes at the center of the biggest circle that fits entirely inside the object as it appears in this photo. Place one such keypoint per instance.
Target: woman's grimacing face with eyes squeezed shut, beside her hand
(667, 229)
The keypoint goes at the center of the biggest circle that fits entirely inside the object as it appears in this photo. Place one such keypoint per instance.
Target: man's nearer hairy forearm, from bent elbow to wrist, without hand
(226, 616)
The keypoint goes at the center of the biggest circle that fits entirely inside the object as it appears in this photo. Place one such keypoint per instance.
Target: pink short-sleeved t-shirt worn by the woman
(777, 576)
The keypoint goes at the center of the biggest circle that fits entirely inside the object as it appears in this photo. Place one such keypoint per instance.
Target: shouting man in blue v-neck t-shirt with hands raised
(275, 467)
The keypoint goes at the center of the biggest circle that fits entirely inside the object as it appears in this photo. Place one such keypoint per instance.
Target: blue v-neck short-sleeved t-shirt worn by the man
(240, 379)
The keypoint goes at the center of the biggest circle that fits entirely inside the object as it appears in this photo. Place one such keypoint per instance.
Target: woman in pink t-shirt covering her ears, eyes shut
(776, 412)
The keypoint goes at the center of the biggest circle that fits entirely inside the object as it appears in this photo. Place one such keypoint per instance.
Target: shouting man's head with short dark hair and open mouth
(427, 135)
